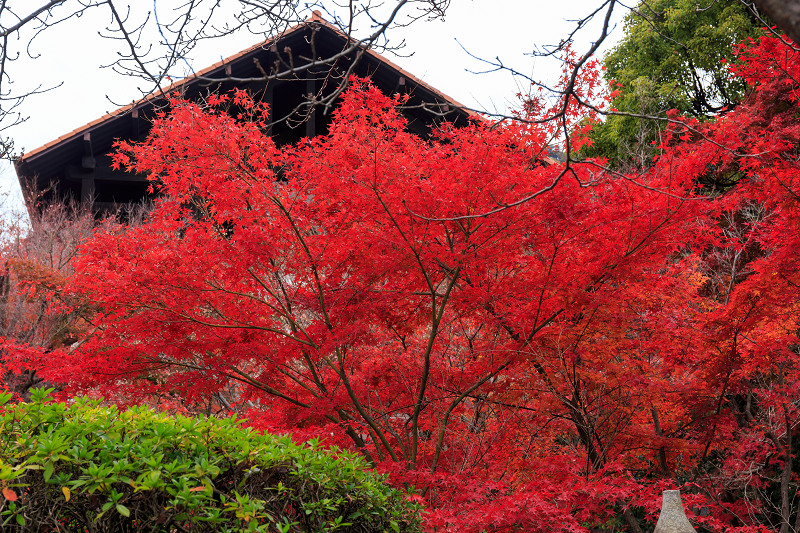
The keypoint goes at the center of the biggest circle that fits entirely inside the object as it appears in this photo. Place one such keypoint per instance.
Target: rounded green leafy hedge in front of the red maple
(88, 467)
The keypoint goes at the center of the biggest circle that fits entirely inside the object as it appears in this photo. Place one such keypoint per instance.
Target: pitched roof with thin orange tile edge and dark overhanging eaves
(50, 163)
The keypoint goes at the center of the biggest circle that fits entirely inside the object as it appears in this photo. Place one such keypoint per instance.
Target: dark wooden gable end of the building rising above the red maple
(308, 59)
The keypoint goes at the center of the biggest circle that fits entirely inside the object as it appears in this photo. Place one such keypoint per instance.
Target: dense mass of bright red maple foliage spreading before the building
(552, 364)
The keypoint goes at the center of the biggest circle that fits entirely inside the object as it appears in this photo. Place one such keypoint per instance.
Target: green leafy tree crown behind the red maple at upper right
(673, 56)
